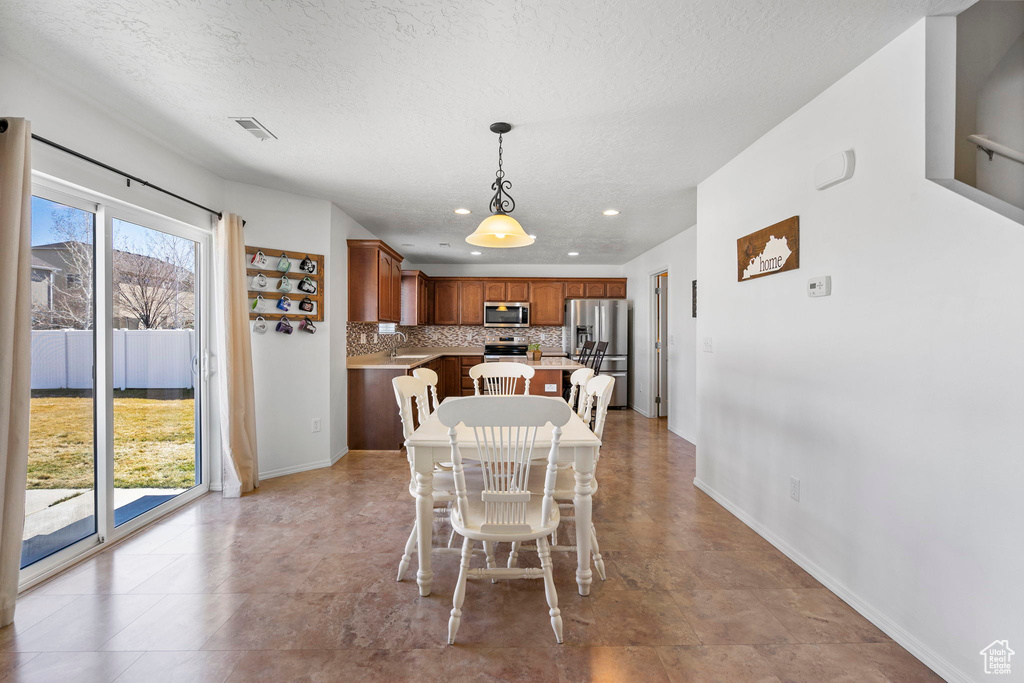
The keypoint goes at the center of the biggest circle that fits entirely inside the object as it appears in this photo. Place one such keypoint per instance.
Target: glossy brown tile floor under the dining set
(296, 583)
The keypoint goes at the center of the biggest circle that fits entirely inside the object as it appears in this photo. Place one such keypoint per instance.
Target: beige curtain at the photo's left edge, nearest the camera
(16, 348)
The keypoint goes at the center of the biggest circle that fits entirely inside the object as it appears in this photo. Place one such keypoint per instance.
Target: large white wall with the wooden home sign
(898, 401)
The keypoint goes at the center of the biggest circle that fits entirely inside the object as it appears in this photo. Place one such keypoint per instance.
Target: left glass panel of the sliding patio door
(61, 490)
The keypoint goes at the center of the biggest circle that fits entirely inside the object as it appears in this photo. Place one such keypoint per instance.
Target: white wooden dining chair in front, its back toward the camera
(506, 508)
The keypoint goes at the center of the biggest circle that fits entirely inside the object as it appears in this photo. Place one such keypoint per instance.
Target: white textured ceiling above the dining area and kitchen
(383, 107)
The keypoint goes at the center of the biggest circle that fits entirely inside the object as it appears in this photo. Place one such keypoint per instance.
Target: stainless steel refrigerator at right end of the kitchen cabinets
(598, 321)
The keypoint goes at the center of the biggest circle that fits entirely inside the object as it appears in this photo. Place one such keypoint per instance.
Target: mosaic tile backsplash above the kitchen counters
(442, 335)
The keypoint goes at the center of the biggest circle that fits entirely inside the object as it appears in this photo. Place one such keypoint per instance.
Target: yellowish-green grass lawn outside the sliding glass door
(154, 440)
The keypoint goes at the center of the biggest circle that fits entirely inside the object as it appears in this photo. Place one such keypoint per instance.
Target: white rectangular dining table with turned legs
(430, 445)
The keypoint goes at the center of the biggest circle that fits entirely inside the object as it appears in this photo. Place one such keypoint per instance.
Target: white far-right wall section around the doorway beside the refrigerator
(678, 257)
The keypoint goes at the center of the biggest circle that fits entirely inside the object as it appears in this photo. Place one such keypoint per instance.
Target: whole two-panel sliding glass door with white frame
(118, 381)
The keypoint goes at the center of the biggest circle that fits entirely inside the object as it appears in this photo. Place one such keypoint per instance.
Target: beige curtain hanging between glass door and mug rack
(235, 364)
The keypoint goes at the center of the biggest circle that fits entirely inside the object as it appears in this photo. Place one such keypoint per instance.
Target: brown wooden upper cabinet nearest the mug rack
(374, 282)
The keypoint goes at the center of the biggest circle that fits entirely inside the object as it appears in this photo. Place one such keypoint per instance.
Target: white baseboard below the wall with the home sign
(933, 661)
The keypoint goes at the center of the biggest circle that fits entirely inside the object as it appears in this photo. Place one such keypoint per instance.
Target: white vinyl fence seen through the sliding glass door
(143, 359)
